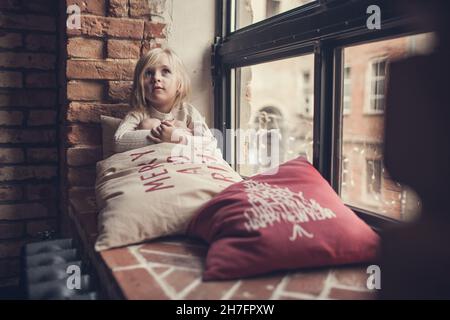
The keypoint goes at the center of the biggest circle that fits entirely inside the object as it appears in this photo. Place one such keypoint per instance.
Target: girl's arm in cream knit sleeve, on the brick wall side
(127, 137)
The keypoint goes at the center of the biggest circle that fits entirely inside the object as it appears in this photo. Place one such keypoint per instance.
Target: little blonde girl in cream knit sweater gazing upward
(160, 112)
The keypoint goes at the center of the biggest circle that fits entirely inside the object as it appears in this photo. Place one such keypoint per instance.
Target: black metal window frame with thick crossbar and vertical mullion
(322, 27)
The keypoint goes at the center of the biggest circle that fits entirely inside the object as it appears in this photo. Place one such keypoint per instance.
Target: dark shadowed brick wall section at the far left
(28, 127)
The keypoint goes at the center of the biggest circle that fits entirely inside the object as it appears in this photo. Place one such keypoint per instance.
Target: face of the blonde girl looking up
(161, 85)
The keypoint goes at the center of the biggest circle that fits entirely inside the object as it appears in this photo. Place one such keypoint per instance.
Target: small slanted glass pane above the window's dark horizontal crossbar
(252, 11)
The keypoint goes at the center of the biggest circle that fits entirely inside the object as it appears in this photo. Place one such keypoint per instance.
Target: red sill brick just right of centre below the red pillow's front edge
(310, 282)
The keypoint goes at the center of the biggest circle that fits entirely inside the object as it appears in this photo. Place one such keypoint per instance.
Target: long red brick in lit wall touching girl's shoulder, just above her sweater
(90, 113)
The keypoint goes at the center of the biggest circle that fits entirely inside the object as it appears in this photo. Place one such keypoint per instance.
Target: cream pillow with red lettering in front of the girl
(154, 191)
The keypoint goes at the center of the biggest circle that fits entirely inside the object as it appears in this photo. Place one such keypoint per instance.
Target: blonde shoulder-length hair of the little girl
(151, 58)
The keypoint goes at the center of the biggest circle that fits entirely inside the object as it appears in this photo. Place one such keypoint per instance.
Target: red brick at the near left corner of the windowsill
(138, 284)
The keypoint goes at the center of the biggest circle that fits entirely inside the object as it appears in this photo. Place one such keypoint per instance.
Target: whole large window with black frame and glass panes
(313, 77)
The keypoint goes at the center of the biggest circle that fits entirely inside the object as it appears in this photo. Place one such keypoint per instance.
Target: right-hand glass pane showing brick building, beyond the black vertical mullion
(364, 181)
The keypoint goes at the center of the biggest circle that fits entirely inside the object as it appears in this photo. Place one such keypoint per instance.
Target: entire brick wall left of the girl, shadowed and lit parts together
(54, 84)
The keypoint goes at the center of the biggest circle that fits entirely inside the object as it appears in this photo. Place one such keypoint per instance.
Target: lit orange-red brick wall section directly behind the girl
(101, 56)
